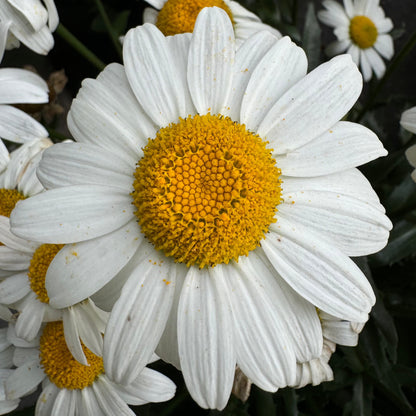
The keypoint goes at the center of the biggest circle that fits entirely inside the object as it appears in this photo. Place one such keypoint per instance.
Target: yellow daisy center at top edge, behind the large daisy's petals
(179, 16)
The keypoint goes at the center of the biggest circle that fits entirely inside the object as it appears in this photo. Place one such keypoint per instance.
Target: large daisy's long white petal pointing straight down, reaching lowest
(205, 338)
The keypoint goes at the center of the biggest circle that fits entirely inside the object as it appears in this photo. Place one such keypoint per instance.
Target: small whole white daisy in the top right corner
(362, 30)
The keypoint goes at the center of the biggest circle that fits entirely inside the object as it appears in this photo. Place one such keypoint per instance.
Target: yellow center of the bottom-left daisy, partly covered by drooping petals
(59, 364)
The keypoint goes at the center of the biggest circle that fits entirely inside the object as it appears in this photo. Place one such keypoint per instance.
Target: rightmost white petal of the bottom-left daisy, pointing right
(150, 386)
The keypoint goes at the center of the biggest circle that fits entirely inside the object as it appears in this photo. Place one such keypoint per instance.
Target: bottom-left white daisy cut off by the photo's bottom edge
(70, 388)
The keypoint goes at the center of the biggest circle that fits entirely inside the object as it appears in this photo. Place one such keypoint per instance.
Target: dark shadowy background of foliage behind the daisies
(378, 377)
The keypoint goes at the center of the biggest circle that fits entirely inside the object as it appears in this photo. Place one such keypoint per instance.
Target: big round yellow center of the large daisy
(206, 190)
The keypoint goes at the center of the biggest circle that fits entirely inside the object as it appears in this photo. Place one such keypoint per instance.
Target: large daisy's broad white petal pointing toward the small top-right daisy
(312, 105)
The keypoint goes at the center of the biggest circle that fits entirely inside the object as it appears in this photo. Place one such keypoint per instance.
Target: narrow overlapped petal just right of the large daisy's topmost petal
(247, 58)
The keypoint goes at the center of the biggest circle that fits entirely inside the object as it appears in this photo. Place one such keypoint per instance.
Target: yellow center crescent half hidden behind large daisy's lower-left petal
(39, 264)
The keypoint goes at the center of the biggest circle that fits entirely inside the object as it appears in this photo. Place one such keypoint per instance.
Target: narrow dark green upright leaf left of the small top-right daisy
(311, 39)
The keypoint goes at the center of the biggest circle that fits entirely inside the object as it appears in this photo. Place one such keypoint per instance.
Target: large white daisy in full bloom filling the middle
(221, 242)
